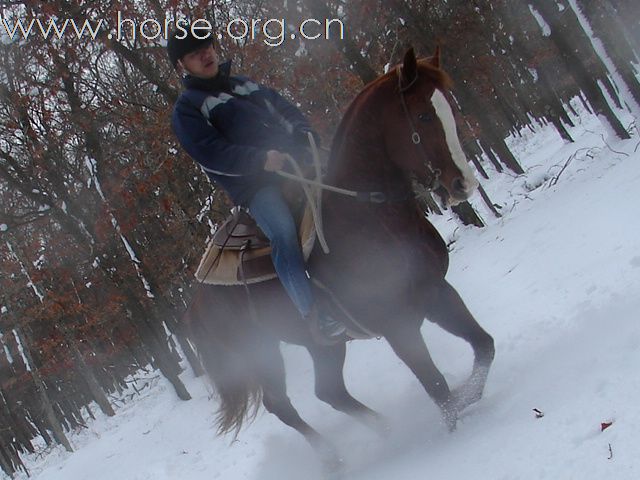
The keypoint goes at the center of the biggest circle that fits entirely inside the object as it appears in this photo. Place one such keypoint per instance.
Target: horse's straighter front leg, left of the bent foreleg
(407, 342)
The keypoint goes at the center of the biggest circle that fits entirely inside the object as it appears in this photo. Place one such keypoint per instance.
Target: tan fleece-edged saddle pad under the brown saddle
(222, 266)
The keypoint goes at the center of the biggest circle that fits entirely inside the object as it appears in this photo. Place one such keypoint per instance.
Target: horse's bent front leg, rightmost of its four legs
(449, 312)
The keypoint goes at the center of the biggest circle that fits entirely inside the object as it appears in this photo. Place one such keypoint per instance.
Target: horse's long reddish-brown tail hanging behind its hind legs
(229, 349)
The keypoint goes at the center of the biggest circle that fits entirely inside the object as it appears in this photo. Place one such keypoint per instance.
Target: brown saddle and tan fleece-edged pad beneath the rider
(240, 252)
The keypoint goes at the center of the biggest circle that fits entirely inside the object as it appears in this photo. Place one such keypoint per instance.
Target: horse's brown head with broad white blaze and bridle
(420, 129)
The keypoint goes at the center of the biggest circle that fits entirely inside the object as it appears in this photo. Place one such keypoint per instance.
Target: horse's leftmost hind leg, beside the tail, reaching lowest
(276, 401)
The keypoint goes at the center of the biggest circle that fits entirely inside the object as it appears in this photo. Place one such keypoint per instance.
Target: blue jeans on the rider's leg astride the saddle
(272, 214)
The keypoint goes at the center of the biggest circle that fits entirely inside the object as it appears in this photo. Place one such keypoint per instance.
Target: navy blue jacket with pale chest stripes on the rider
(228, 123)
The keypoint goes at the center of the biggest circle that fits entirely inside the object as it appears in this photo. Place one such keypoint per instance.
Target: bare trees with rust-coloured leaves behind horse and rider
(104, 218)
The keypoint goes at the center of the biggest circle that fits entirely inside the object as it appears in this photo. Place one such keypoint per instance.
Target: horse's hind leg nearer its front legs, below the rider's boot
(328, 363)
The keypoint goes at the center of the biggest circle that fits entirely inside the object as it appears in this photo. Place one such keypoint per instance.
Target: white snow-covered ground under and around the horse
(555, 281)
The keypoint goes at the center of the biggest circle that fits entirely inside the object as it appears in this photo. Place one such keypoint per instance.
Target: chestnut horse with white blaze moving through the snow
(387, 265)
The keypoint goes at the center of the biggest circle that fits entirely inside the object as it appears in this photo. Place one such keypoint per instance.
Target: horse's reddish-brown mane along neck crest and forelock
(425, 69)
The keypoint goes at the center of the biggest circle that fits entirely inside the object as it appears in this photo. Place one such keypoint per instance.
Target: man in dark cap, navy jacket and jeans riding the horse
(241, 133)
